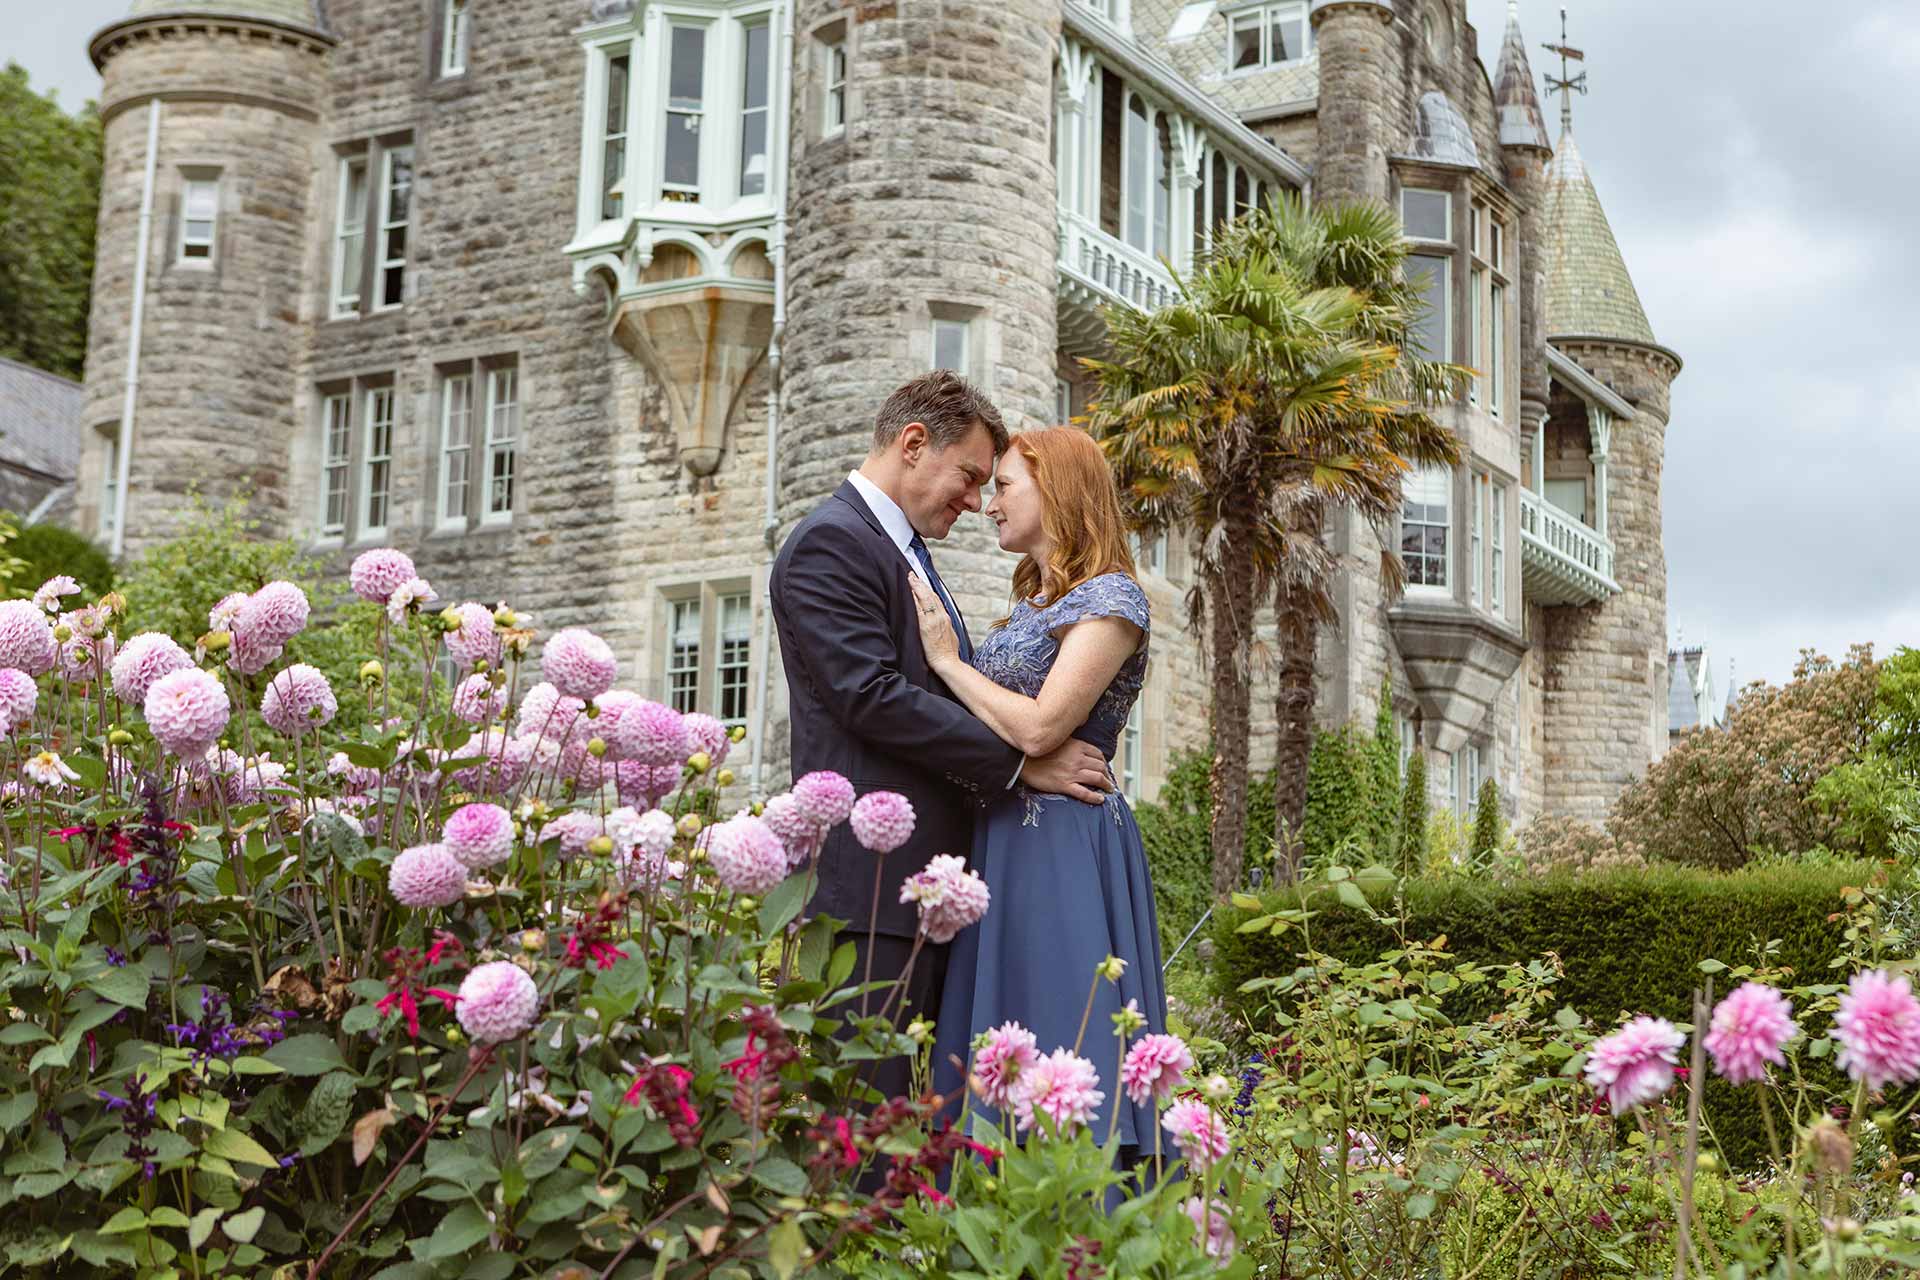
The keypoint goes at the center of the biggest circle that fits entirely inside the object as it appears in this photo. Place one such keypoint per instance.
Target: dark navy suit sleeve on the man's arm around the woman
(853, 659)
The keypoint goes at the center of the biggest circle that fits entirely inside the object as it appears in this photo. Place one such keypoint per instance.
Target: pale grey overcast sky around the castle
(1758, 170)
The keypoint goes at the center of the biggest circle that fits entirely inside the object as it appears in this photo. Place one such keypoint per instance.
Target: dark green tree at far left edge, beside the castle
(49, 204)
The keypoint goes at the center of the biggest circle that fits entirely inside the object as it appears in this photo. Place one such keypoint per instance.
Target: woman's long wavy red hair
(1080, 511)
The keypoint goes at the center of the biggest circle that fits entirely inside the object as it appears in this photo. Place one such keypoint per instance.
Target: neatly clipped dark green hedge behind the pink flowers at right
(1631, 939)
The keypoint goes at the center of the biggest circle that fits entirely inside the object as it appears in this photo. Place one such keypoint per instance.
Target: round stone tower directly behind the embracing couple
(921, 214)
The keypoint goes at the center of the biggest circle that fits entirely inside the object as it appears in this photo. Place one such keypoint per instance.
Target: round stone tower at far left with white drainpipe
(210, 114)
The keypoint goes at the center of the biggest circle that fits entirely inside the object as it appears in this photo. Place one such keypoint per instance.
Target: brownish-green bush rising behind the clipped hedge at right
(1721, 795)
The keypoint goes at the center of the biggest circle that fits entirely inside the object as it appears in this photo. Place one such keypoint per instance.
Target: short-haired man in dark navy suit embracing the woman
(861, 698)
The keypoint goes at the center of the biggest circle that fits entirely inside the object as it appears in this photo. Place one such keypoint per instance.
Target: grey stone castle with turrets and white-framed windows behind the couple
(587, 302)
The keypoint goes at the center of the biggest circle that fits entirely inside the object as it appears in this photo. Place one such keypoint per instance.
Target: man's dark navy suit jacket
(865, 703)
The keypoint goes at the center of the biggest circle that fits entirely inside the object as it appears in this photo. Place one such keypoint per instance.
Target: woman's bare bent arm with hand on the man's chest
(1092, 655)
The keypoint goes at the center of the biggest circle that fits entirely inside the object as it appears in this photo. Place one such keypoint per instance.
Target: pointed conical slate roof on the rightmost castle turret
(1589, 289)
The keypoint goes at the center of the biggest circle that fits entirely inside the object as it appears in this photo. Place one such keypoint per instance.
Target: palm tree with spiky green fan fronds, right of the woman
(1220, 415)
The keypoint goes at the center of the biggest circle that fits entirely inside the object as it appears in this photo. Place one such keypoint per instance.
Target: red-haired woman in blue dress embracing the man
(1068, 880)
